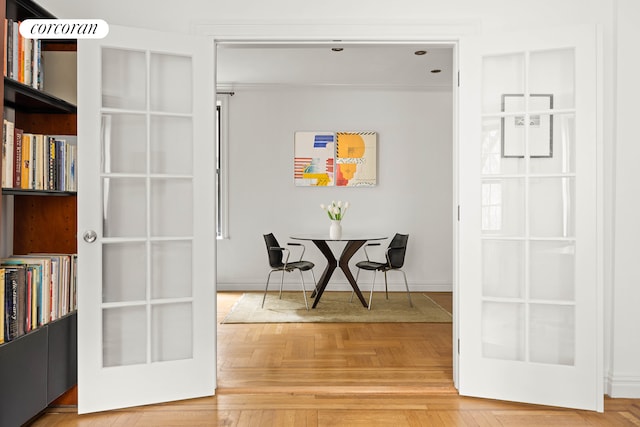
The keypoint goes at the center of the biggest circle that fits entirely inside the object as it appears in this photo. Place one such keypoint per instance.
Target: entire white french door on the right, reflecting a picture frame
(530, 309)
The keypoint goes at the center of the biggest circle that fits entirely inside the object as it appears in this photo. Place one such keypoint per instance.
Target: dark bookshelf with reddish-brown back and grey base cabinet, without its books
(40, 366)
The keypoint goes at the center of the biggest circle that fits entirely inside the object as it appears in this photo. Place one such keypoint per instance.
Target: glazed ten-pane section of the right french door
(528, 206)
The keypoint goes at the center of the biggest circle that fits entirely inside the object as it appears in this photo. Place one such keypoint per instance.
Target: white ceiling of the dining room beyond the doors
(316, 64)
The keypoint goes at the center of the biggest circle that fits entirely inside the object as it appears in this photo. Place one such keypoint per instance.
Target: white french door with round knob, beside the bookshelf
(146, 243)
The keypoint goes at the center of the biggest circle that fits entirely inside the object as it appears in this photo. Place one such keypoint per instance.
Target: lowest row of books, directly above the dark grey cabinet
(35, 290)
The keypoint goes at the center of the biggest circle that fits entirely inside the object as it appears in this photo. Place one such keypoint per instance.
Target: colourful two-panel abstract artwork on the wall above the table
(339, 159)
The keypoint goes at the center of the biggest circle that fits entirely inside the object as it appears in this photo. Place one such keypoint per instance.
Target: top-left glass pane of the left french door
(123, 79)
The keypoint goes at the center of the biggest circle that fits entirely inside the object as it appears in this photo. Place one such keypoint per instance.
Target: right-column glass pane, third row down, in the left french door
(171, 207)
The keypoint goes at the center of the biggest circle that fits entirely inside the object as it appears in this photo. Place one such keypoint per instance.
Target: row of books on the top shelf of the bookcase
(22, 56)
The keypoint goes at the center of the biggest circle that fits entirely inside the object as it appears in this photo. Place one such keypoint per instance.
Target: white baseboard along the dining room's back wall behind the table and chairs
(338, 286)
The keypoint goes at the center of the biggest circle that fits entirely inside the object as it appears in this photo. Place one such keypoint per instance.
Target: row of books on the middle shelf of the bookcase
(38, 162)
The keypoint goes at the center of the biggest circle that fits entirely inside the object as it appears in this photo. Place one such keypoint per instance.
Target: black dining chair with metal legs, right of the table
(394, 255)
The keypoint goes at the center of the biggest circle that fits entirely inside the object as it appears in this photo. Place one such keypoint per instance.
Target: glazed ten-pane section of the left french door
(147, 174)
